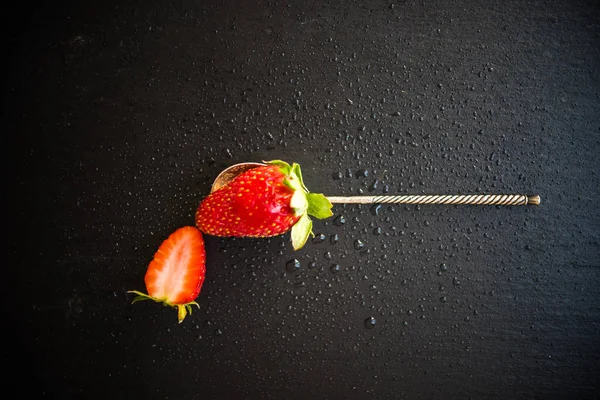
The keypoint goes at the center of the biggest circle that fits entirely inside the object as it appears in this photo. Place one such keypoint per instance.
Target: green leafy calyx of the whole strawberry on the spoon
(302, 202)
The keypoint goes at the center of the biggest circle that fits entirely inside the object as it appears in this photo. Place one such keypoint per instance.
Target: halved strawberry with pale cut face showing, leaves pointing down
(176, 273)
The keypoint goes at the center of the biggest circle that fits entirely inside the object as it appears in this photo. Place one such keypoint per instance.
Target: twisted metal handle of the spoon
(478, 199)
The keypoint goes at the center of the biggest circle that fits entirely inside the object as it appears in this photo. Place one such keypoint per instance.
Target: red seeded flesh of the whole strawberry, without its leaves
(255, 204)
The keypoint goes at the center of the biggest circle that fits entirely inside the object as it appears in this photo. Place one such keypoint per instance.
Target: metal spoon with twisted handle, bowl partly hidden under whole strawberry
(228, 174)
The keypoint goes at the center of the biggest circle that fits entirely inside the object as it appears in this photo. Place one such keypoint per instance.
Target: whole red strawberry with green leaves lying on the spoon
(263, 202)
